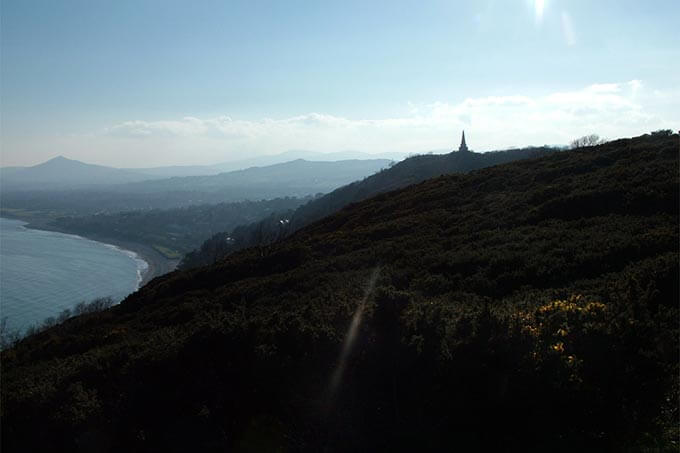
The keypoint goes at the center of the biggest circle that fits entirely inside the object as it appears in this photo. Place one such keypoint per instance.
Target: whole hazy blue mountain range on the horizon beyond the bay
(292, 179)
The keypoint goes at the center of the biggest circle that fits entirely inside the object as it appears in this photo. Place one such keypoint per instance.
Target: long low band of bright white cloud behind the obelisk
(492, 122)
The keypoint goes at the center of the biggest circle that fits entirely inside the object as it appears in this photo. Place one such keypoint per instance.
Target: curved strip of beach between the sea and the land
(156, 264)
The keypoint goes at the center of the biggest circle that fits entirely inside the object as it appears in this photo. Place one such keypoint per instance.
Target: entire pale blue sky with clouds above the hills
(148, 83)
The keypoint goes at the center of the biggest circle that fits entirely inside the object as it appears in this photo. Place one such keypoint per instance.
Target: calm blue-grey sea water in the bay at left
(43, 272)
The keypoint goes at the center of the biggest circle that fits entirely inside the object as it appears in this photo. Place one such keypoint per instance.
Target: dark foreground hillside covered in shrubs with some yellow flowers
(527, 307)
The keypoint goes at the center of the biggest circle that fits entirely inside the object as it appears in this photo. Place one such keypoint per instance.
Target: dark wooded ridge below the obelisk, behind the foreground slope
(410, 171)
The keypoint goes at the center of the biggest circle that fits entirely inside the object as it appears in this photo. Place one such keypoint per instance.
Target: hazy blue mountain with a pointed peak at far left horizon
(61, 172)
